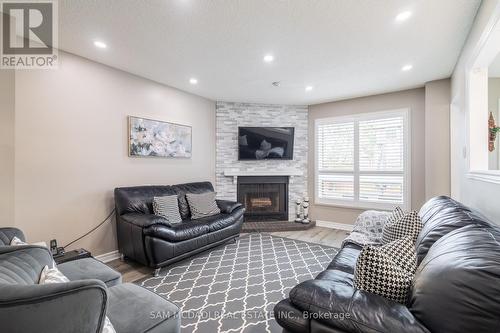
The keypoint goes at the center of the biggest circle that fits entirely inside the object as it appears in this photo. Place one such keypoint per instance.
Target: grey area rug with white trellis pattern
(234, 288)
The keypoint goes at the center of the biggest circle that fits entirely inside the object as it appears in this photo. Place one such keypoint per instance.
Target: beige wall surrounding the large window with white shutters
(414, 100)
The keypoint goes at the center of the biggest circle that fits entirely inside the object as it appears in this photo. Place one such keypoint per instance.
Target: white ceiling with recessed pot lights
(344, 48)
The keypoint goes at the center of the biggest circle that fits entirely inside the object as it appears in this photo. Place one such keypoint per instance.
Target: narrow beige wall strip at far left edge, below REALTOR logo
(7, 79)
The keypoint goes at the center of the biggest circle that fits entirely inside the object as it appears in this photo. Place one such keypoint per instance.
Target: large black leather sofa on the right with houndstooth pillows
(456, 287)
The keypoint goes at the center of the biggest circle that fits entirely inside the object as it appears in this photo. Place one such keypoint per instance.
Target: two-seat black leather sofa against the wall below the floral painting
(152, 241)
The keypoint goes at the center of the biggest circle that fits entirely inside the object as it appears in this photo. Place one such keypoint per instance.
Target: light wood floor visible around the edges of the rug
(132, 271)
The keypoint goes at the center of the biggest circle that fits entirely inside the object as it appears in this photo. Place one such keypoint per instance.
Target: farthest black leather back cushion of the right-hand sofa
(440, 216)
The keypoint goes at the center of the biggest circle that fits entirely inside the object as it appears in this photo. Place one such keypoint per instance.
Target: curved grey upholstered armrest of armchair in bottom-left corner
(77, 306)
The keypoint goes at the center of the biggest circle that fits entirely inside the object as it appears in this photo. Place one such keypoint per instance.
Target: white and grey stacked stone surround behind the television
(230, 116)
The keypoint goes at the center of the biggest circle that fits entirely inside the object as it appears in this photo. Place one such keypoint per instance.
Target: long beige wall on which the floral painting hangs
(71, 146)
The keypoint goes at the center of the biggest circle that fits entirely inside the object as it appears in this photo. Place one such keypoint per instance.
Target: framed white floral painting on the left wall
(155, 138)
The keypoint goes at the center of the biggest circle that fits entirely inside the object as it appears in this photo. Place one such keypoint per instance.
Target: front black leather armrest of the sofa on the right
(360, 311)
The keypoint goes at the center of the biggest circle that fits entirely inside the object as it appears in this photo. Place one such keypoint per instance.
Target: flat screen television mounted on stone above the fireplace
(265, 143)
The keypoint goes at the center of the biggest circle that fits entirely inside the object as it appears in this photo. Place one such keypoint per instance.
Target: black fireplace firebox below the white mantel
(264, 197)
